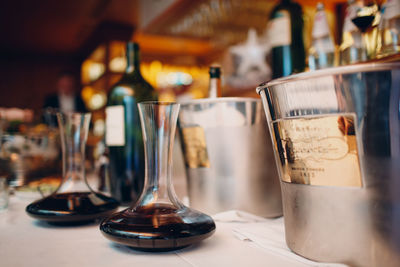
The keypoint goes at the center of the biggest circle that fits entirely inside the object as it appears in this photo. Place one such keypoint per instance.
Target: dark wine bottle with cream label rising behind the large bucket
(285, 31)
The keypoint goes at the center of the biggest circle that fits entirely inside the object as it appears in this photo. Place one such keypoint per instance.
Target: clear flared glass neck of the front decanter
(158, 121)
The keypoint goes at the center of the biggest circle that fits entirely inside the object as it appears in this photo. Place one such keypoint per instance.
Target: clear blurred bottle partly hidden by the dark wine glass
(351, 48)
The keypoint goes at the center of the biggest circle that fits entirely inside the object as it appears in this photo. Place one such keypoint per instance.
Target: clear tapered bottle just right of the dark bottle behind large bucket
(322, 51)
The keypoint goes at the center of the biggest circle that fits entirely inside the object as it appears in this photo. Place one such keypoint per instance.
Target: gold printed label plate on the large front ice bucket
(319, 150)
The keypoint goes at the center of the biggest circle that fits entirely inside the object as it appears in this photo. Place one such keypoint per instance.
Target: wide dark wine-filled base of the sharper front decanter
(158, 227)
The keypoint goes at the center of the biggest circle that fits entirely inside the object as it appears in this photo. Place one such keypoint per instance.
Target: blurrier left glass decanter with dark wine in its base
(74, 201)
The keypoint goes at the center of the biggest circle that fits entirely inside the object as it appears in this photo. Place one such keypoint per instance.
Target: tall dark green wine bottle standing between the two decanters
(123, 131)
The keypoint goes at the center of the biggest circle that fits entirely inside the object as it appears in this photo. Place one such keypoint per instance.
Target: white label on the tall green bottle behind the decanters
(115, 126)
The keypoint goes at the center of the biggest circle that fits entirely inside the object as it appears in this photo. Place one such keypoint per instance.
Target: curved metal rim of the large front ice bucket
(356, 68)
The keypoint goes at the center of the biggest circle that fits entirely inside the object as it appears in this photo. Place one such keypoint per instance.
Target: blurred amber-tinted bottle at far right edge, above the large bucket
(389, 29)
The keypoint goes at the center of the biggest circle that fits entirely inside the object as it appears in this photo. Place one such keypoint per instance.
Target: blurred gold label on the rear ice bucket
(195, 147)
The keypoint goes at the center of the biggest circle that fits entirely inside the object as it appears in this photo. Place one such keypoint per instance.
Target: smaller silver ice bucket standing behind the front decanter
(228, 156)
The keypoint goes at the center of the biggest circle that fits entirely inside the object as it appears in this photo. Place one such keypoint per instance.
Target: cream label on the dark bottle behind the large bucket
(279, 33)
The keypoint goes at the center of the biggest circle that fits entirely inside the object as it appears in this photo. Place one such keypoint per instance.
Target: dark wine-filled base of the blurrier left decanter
(72, 208)
